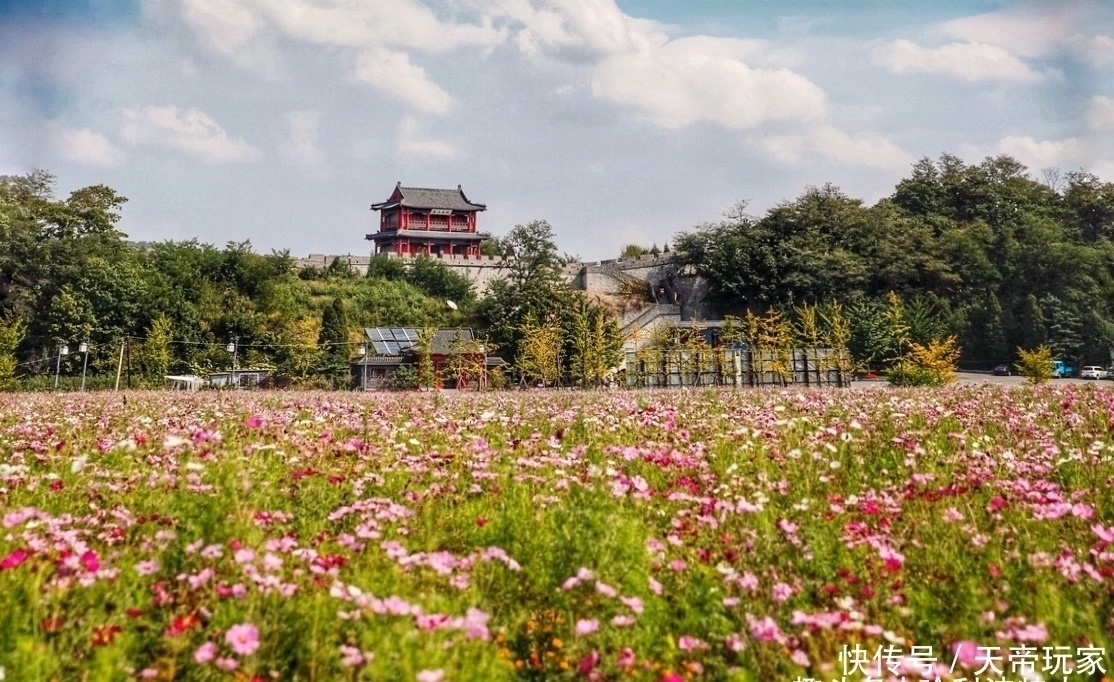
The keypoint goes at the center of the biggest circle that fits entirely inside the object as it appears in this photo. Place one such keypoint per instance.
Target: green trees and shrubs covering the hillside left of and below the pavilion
(69, 276)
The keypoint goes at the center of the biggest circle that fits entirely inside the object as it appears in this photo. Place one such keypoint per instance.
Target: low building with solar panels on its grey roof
(458, 359)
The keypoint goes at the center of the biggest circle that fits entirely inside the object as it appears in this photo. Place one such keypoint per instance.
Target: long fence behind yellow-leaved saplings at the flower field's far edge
(738, 367)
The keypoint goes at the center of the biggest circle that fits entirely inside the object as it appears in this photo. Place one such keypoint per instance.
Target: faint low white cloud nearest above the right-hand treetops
(828, 143)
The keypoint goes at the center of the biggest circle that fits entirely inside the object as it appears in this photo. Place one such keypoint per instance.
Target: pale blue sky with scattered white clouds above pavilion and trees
(618, 121)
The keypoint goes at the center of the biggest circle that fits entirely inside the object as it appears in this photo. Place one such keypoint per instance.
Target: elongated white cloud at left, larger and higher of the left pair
(189, 131)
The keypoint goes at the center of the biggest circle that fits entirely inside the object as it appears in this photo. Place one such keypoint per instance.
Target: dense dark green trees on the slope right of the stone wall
(983, 252)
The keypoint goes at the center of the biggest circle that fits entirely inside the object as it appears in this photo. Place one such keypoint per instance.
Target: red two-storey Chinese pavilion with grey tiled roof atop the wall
(435, 222)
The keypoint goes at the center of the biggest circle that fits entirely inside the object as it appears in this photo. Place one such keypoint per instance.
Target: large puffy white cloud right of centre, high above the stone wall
(705, 80)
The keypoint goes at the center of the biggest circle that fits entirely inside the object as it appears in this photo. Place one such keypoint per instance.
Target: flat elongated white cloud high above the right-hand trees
(971, 62)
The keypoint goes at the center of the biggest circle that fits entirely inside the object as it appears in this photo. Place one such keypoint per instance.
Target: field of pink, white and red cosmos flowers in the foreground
(688, 535)
